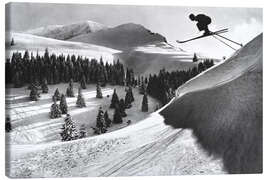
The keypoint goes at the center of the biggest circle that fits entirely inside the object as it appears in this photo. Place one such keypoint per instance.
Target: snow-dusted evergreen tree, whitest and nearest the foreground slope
(69, 131)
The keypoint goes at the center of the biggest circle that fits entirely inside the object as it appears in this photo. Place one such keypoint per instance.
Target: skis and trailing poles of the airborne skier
(214, 34)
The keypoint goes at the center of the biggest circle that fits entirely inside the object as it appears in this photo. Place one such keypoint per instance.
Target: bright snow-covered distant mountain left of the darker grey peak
(65, 32)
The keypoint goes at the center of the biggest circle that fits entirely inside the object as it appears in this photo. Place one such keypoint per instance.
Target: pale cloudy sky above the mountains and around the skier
(172, 22)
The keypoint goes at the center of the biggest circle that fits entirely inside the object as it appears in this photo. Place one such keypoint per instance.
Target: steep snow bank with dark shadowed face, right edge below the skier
(223, 107)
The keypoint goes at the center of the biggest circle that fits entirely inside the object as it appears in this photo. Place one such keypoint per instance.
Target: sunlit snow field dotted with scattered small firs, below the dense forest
(32, 124)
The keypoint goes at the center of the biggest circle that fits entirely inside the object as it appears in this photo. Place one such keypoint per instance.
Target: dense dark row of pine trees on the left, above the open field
(54, 69)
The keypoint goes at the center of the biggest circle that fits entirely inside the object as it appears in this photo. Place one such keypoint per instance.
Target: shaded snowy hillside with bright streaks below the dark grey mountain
(151, 58)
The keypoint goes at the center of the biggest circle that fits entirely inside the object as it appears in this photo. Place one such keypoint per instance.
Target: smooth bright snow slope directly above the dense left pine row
(34, 43)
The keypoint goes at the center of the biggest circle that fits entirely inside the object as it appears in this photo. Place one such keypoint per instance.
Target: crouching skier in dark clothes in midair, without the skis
(203, 22)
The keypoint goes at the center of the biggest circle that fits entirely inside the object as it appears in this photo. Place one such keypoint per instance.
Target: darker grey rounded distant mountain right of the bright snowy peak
(121, 37)
